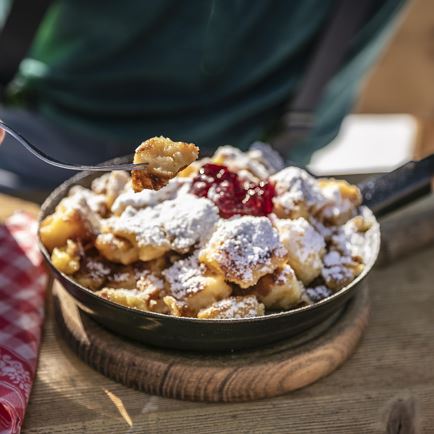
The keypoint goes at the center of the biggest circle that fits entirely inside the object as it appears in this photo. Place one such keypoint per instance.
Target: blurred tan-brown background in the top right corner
(402, 80)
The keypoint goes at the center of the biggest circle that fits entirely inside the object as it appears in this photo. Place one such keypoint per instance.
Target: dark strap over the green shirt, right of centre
(347, 19)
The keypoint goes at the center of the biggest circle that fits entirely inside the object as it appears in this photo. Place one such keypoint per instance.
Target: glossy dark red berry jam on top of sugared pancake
(231, 194)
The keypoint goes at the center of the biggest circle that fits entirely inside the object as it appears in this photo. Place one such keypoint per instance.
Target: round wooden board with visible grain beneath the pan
(239, 376)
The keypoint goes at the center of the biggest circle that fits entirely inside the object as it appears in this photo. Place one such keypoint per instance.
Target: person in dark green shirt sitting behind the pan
(103, 75)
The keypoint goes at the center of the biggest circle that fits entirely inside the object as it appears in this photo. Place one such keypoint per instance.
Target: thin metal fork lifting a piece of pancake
(79, 167)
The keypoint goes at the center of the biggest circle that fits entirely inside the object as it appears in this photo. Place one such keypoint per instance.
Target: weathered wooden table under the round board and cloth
(387, 386)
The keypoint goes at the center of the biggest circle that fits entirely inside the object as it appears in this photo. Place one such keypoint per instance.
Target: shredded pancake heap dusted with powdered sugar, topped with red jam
(236, 235)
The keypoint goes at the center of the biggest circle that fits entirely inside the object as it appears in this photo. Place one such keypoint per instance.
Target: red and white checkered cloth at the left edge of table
(23, 280)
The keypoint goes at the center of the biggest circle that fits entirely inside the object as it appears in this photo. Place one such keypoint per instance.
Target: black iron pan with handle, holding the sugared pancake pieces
(381, 195)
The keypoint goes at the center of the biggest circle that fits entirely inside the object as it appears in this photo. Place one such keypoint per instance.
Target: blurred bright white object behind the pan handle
(367, 144)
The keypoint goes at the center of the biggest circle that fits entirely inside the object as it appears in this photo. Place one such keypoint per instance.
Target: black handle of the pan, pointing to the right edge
(386, 193)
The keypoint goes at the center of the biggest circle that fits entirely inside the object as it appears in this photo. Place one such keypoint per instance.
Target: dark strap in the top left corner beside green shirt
(17, 35)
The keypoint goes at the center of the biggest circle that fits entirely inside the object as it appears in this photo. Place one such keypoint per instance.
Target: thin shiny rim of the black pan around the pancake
(64, 186)
